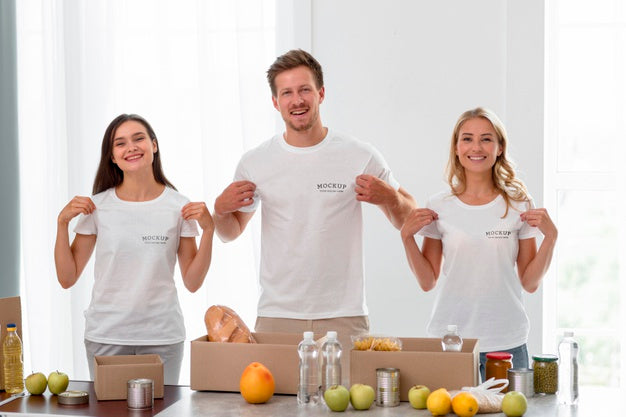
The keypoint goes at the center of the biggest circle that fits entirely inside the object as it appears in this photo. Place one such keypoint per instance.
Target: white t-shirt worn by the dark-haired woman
(134, 299)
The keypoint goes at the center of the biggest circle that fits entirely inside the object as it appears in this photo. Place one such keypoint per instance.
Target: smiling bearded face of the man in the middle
(298, 99)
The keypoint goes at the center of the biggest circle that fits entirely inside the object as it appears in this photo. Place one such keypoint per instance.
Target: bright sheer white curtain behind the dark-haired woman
(196, 71)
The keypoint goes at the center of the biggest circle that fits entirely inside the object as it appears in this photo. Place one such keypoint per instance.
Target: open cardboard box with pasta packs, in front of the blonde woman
(422, 362)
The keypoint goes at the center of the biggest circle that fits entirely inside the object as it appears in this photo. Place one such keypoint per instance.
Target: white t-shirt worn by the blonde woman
(480, 290)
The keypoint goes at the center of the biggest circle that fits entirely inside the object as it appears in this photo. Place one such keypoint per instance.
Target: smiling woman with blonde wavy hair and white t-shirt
(484, 231)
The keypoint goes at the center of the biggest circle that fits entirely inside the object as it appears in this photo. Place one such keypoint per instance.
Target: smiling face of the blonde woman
(477, 145)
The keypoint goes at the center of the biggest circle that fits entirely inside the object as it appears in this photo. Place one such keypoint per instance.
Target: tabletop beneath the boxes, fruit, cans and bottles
(180, 401)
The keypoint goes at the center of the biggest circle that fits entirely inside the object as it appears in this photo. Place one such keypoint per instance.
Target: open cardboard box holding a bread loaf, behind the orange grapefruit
(218, 366)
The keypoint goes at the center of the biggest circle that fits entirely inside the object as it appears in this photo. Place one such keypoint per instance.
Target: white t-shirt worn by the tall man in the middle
(311, 237)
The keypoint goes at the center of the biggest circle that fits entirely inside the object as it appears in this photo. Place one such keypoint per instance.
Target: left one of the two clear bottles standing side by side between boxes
(308, 388)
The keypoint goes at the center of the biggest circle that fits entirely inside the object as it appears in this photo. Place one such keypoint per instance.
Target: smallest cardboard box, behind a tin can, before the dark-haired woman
(114, 372)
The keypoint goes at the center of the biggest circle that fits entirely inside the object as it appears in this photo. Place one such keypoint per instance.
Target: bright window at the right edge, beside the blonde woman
(585, 135)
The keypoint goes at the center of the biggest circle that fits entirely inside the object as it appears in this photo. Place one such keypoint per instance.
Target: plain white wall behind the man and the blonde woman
(398, 74)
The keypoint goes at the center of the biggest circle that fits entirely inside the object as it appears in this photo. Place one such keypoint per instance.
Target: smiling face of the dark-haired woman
(133, 149)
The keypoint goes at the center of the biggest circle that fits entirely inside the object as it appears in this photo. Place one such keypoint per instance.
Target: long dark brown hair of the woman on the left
(109, 174)
